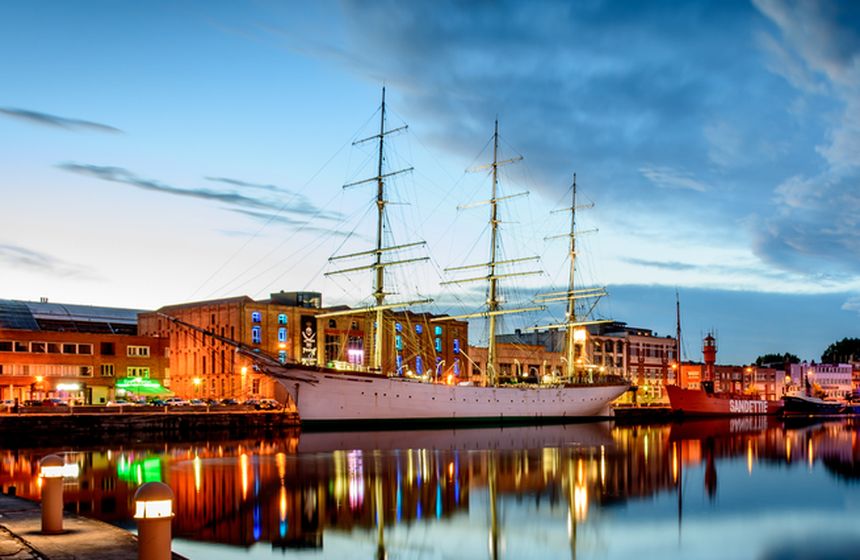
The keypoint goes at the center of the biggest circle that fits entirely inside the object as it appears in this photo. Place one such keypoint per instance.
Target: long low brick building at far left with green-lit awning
(74, 352)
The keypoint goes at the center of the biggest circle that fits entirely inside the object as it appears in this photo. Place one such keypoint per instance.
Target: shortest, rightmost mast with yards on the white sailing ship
(572, 294)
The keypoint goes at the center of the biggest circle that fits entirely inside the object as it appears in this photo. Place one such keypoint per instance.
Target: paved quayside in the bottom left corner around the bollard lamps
(83, 538)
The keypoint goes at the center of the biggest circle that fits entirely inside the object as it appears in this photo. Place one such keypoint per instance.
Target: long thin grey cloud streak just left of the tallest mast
(296, 204)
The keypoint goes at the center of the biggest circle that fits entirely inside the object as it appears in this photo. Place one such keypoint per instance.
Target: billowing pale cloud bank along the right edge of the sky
(815, 216)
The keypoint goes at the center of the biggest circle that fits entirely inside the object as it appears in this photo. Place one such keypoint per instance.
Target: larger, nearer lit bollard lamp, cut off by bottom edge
(153, 511)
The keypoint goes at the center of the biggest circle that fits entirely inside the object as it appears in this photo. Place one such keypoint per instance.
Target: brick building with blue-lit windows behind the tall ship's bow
(286, 326)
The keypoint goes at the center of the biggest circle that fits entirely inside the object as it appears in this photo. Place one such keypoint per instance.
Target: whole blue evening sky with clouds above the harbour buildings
(163, 152)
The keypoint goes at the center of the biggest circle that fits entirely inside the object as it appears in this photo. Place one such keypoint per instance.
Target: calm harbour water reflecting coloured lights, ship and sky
(741, 488)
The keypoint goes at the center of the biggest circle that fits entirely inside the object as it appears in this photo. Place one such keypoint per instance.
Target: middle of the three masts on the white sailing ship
(493, 302)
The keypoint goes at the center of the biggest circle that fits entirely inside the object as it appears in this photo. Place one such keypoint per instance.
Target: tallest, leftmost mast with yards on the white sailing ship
(379, 264)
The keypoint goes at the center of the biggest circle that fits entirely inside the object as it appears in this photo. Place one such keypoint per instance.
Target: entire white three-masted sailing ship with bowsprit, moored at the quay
(327, 396)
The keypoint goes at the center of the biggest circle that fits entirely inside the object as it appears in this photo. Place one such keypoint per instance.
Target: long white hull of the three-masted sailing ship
(323, 396)
